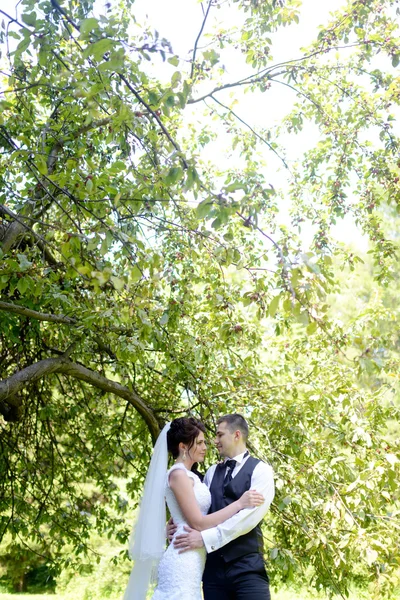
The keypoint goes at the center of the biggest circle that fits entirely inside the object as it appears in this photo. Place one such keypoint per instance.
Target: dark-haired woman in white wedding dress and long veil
(188, 499)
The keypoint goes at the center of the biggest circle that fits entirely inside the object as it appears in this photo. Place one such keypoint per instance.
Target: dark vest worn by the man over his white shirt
(253, 540)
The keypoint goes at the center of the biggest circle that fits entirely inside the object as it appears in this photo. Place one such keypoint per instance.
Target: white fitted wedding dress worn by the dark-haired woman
(179, 575)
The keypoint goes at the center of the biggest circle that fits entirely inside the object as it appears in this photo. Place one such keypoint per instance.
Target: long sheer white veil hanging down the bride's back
(147, 541)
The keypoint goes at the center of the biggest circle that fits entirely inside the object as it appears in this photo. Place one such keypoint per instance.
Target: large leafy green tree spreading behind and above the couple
(139, 280)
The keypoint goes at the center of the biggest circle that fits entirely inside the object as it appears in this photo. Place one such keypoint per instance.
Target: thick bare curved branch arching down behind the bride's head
(10, 387)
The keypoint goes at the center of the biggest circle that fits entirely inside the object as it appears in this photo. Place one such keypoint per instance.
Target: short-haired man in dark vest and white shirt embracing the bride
(235, 565)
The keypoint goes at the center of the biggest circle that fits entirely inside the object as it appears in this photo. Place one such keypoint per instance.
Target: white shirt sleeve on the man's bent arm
(245, 520)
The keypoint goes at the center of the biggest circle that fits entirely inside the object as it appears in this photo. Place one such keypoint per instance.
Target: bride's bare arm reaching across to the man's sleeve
(182, 486)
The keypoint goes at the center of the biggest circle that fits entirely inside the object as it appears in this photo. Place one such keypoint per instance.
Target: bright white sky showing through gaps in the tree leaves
(179, 21)
